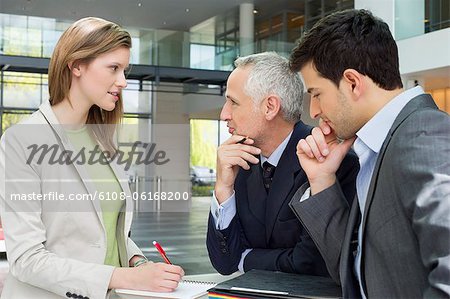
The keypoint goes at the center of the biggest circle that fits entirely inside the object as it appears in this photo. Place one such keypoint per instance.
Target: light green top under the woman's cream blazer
(108, 187)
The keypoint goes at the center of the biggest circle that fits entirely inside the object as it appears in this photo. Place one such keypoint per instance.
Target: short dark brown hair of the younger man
(350, 39)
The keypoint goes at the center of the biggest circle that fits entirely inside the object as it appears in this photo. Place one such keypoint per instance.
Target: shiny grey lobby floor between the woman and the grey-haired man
(182, 236)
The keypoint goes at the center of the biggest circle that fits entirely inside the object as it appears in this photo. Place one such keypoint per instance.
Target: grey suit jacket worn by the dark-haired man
(406, 222)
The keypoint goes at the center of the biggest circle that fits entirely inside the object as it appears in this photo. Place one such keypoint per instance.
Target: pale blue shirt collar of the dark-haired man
(374, 132)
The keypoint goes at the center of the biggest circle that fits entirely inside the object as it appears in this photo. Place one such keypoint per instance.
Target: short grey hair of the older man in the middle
(270, 74)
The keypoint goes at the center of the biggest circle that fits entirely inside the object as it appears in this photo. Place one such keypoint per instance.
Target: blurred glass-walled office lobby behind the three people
(183, 52)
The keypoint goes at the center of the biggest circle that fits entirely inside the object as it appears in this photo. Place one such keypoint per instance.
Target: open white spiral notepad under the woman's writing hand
(186, 289)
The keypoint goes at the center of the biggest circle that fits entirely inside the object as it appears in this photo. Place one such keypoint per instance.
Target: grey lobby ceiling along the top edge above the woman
(156, 14)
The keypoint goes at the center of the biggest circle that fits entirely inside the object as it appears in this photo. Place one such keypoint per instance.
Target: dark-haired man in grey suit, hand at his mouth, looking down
(394, 241)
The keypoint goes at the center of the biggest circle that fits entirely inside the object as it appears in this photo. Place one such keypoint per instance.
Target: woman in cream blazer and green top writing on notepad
(62, 240)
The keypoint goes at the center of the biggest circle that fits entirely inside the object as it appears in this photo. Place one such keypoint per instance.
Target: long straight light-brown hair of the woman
(82, 42)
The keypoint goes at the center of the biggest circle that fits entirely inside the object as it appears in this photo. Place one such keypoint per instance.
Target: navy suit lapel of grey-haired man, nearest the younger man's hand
(286, 178)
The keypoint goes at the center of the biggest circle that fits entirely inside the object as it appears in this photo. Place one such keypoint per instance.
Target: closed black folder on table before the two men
(268, 284)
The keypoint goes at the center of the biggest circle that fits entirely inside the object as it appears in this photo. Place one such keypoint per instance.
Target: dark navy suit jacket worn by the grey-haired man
(265, 223)
